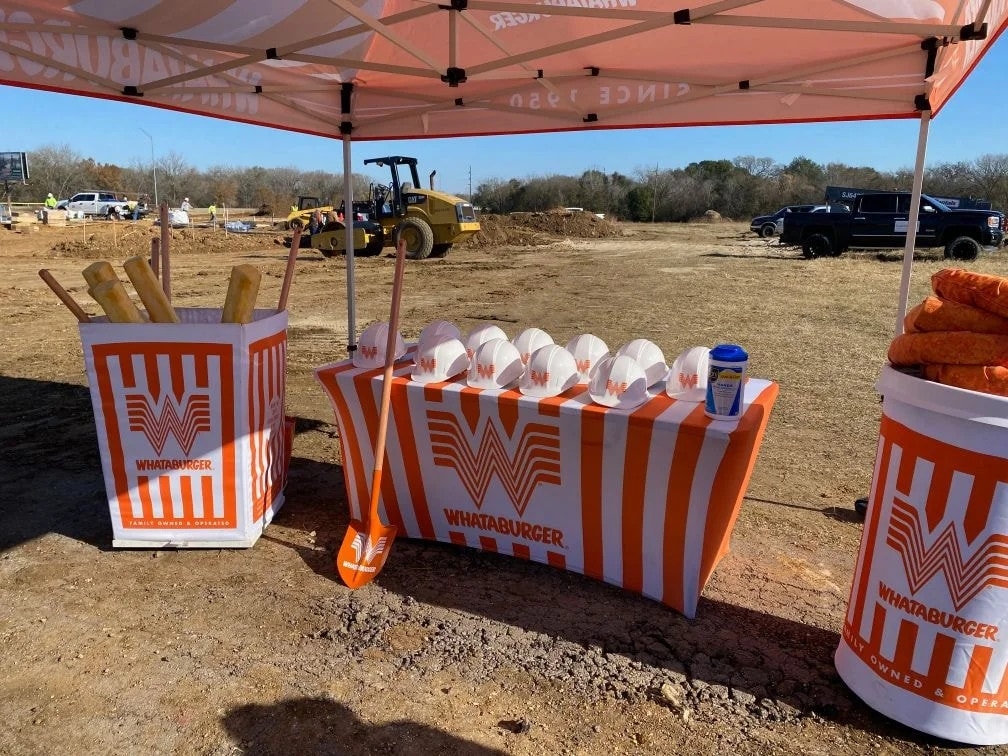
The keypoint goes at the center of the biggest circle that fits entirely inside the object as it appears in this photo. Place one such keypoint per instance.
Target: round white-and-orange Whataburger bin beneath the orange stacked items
(926, 636)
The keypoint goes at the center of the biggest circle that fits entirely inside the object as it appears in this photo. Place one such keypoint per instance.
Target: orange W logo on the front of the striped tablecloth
(537, 459)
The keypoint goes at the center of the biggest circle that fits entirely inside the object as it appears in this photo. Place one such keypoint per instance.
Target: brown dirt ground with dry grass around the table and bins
(449, 651)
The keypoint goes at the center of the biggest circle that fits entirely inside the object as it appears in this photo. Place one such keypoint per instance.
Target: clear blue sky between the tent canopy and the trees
(970, 125)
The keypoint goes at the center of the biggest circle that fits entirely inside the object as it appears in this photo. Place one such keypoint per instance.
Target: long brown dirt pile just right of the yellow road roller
(536, 229)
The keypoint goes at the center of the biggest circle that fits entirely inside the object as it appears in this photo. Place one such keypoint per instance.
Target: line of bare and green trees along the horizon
(738, 189)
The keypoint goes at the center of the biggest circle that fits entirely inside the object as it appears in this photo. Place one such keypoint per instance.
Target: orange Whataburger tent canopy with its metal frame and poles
(405, 69)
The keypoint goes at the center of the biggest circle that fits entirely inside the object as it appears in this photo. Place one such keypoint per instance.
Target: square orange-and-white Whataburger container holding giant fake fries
(191, 424)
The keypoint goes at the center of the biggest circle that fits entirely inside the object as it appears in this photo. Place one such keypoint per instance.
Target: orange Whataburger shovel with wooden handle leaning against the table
(366, 545)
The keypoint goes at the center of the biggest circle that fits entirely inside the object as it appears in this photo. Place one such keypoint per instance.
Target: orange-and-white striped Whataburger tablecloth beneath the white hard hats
(644, 499)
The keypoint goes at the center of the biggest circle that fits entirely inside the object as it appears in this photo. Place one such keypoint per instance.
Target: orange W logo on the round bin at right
(923, 561)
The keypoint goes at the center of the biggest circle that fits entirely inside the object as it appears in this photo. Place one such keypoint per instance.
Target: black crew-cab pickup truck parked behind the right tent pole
(879, 221)
